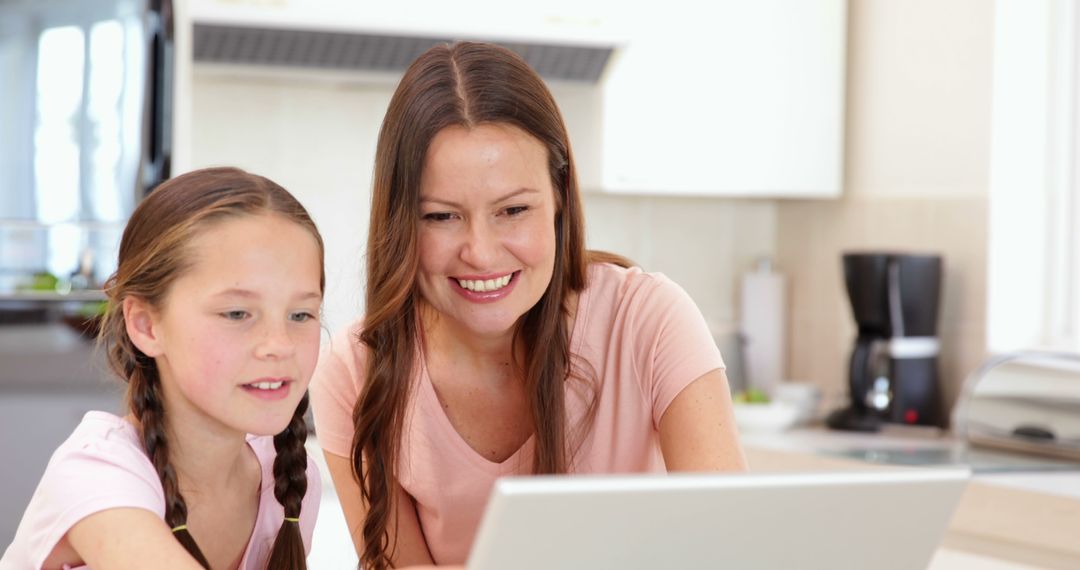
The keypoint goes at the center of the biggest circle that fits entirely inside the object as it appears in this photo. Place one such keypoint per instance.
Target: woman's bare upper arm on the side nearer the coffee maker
(698, 430)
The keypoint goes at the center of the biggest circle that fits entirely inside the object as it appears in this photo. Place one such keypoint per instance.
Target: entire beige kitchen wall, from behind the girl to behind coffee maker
(916, 179)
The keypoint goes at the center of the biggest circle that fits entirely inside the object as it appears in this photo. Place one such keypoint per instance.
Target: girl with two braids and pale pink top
(213, 324)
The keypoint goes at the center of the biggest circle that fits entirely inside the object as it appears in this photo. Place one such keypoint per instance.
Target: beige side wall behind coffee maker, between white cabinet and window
(916, 180)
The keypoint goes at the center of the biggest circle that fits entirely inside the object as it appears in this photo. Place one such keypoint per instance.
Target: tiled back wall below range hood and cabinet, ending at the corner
(317, 138)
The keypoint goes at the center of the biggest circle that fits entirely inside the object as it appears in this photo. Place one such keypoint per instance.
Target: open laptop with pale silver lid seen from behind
(882, 520)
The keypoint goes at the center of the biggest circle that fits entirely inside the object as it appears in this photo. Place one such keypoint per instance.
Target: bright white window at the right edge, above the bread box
(1034, 255)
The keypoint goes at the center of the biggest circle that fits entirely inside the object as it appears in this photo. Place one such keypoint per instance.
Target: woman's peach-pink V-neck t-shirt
(645, 341)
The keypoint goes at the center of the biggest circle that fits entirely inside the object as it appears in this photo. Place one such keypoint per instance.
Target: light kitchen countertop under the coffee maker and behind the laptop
(1010, 520)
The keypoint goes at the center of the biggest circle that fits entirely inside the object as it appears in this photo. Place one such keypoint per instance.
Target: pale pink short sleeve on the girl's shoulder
(88, 478)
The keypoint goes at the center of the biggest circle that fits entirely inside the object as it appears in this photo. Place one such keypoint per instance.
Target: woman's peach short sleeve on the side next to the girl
(335, 388)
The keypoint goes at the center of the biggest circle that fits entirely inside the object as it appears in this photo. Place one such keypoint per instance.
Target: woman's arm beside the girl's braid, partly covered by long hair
(412, 549)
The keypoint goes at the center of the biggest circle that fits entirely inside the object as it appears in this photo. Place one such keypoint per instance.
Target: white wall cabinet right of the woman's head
(730, 98)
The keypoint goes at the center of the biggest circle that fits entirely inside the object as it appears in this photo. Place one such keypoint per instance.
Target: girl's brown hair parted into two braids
(154, 254)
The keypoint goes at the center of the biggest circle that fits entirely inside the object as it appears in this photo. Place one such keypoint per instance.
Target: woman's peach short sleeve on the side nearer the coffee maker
(673, 343)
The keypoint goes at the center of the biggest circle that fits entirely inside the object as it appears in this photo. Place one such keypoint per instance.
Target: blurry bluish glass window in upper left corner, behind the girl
(71, 128)
